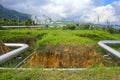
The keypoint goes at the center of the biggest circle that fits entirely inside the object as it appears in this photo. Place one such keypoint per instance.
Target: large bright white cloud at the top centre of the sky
(68, 8)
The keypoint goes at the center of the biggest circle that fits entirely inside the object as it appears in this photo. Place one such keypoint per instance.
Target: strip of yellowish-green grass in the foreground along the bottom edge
(89, 74)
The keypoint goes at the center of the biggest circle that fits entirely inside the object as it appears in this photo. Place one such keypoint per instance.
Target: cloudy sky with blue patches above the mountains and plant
(80, 10)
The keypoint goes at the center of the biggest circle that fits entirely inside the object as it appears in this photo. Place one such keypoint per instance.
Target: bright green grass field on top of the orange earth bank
(55, 37)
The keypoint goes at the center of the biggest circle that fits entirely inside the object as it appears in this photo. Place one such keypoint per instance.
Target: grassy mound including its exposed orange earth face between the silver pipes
(62, 48)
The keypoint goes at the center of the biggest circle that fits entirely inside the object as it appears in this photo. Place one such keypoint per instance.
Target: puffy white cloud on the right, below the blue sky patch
(105, 13)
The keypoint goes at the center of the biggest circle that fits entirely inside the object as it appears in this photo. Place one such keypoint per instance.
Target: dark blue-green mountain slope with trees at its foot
(12, 18)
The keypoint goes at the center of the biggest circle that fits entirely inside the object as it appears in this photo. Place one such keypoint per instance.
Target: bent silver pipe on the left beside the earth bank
(14, 53)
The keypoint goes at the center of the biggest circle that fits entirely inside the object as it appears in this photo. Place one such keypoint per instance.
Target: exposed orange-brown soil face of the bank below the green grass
(65, 56)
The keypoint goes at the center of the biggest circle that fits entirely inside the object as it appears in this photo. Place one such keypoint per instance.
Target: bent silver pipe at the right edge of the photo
(112, 51)
